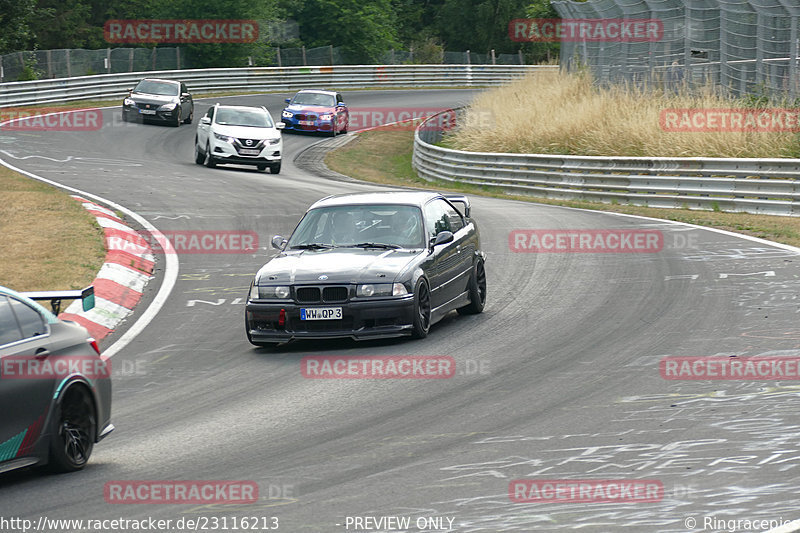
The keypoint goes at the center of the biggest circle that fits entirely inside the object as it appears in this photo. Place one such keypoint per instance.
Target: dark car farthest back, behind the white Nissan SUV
(158, 100)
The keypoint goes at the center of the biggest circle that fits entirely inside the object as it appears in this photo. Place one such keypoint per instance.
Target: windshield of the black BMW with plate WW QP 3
(350, 225)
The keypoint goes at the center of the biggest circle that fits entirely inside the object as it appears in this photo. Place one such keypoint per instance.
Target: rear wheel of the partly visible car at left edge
(73, 431)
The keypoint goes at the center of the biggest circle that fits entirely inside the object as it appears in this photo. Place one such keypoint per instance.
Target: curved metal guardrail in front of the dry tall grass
(766, 186)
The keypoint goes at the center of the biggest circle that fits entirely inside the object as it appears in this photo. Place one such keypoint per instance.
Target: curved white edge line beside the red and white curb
(170, 271)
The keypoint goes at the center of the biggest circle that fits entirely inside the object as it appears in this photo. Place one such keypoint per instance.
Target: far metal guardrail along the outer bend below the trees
(267, 79)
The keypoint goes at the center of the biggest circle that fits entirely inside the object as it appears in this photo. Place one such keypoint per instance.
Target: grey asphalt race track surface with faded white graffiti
(557, 379)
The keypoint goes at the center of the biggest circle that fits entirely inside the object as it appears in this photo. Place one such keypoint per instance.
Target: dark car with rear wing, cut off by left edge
(55, 389)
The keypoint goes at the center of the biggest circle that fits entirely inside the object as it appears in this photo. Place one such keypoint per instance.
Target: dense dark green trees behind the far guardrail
(365, 30)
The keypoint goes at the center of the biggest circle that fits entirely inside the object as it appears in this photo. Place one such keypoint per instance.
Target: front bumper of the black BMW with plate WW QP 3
(363, 319)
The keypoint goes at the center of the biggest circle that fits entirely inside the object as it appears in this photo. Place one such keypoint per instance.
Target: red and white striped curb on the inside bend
(120, 283)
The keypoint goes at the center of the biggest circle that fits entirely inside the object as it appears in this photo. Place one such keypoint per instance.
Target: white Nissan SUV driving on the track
(239, 135)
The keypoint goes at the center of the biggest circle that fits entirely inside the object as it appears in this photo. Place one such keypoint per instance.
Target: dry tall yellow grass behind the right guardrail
(568, 114)
